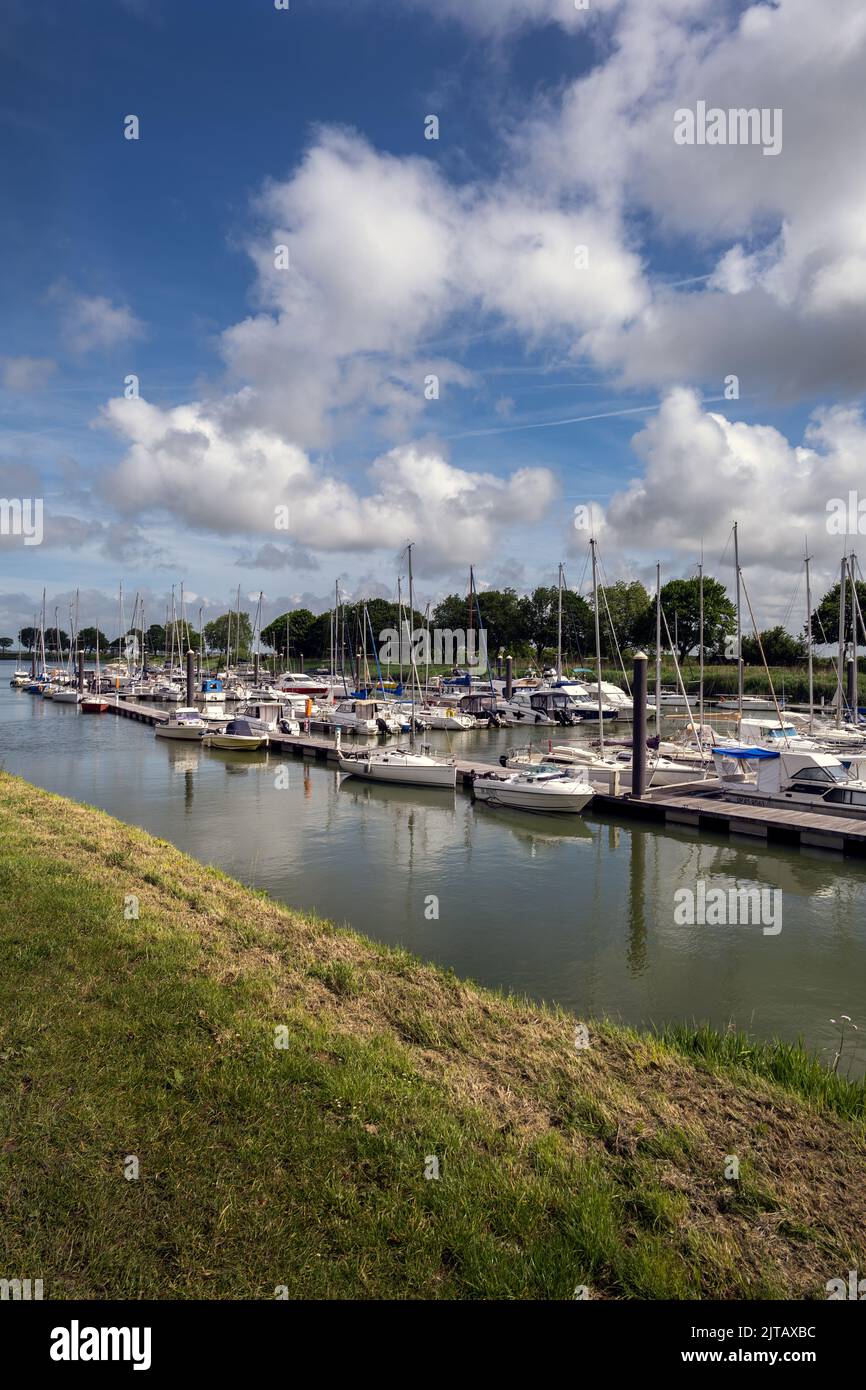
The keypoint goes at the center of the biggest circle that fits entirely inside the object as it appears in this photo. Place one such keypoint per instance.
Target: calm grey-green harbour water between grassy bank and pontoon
(579, 913)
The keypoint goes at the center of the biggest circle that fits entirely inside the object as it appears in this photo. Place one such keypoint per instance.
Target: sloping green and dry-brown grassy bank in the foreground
(304, 1166)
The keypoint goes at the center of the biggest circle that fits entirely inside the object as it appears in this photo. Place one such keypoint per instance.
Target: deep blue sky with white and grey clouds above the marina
(444, 272)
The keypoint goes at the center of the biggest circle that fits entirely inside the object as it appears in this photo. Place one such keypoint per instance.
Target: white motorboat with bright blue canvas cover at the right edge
(789, 779)
